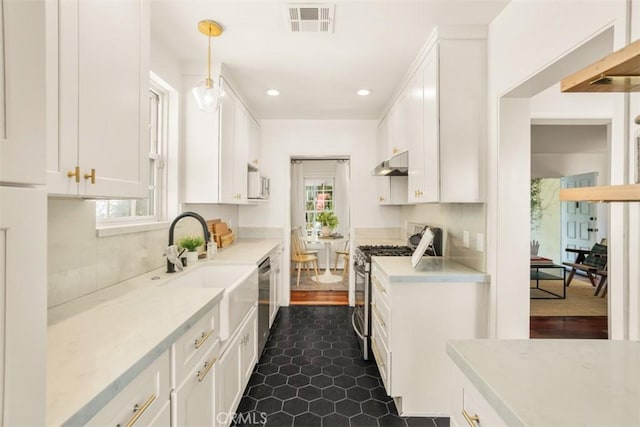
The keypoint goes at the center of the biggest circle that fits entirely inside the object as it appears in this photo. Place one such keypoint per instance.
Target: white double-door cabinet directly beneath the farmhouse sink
(234, 368)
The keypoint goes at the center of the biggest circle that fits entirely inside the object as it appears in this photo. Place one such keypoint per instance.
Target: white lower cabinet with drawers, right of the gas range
(411, 323)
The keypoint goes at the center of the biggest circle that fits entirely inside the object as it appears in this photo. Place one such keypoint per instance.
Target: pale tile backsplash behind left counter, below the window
(79, 262)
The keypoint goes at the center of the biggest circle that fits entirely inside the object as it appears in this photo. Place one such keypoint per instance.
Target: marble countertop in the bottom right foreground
(555, 382)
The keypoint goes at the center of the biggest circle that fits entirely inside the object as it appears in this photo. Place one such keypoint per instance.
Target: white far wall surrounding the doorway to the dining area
(284, 139)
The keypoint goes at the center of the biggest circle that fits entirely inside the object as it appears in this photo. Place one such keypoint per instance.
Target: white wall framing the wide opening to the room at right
(524, 60)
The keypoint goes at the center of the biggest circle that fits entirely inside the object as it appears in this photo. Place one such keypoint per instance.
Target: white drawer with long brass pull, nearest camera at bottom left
(142, 400)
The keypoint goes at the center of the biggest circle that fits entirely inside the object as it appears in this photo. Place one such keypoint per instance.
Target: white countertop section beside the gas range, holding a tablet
(430, 269)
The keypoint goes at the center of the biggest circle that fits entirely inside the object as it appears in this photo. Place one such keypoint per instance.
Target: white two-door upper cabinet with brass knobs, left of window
(98, 98)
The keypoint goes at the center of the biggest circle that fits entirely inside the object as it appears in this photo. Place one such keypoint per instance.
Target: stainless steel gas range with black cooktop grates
(361, 318)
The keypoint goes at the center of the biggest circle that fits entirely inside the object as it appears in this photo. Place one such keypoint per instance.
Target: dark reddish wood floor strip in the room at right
(582, 327)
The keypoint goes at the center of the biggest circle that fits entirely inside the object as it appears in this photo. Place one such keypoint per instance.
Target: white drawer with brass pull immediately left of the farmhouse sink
(195, 342)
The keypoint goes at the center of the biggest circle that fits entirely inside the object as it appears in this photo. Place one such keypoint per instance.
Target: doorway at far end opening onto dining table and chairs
(320, 224)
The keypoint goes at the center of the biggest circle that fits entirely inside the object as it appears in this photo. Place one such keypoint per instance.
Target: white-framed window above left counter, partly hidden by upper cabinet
(149, 208)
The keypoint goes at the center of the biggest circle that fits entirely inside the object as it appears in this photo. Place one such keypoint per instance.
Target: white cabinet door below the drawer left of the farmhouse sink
(195, 397)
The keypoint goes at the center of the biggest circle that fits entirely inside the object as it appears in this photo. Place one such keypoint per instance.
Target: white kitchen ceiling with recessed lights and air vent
(372, 46)
